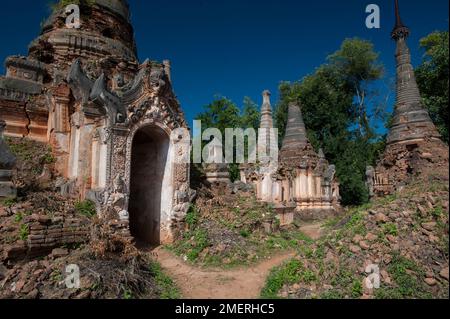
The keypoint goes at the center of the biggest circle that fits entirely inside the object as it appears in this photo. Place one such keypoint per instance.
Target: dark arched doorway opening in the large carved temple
(148, 162)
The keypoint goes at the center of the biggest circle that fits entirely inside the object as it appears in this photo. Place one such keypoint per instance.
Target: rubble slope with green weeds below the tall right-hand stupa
(401, 240)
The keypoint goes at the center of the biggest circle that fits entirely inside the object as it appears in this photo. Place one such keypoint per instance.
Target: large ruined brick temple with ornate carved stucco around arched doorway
(109, 118)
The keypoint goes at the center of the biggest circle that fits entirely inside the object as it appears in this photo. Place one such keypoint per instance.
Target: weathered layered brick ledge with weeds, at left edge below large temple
(27, 230)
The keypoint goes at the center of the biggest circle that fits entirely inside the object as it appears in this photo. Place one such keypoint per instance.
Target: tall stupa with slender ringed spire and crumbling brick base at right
(413, 142)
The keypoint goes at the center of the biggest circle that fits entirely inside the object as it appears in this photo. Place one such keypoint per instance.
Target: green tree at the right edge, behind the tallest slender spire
(433, 79)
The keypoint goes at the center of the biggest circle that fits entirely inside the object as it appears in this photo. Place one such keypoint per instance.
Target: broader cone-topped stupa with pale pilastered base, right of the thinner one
(306, 180)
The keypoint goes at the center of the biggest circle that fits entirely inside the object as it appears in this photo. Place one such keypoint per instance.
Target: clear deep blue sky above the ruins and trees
(238, 48)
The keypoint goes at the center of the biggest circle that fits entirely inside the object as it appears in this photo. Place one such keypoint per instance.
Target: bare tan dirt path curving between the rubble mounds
(197, 283)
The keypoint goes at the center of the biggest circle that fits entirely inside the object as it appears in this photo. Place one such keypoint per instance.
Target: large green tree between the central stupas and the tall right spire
(335, 100)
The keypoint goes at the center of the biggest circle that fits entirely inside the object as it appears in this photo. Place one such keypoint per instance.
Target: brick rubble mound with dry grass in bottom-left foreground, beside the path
(110, 278)
